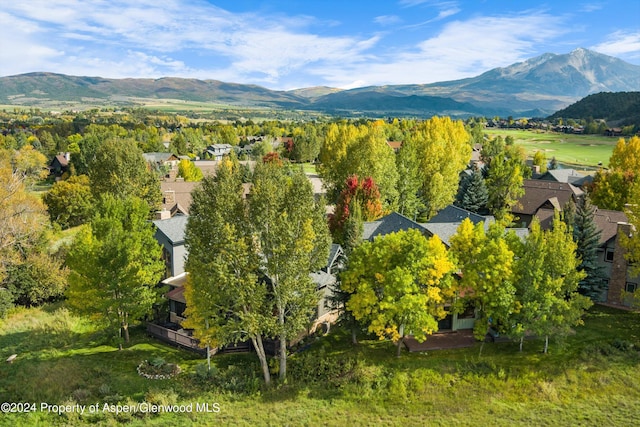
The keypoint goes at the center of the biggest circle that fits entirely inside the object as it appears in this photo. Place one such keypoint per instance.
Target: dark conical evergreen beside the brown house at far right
(587, 237)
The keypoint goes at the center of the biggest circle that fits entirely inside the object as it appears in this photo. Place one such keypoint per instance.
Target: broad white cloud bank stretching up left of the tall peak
(461, 49)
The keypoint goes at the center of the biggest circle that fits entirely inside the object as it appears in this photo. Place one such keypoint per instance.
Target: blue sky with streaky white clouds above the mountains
(293, 44)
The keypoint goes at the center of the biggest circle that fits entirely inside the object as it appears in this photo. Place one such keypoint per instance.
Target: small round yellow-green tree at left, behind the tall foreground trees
(70, 202)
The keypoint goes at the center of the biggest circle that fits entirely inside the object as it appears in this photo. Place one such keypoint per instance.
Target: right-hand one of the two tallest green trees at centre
(292, 234)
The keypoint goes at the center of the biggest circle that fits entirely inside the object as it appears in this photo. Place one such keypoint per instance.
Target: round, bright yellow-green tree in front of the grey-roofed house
(399, 283)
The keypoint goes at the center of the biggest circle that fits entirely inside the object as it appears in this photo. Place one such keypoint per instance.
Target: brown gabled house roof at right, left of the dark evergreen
(542, 193)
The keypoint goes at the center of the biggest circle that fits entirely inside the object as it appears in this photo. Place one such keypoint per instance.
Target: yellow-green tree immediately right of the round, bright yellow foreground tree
(485, 262)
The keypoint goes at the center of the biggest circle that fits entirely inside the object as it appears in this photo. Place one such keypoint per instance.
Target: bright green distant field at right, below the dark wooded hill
(571, 150)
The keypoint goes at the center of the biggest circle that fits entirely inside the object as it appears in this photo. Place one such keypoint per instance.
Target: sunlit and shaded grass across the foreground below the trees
(592, 378)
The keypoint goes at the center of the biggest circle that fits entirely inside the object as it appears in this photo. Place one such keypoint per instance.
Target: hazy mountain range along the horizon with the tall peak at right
(534, 88)
